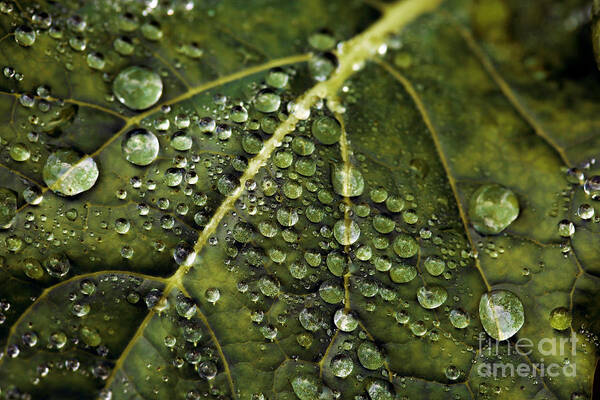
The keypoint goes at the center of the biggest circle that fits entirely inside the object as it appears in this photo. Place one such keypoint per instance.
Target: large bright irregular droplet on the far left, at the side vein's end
(67, 173)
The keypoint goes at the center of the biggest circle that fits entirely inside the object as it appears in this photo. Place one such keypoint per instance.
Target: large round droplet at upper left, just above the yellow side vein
(138, 87)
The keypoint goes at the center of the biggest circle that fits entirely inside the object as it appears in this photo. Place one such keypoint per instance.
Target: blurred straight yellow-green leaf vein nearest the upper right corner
(508, 92)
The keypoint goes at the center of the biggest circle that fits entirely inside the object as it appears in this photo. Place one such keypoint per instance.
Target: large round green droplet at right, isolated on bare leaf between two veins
(493, 208)
